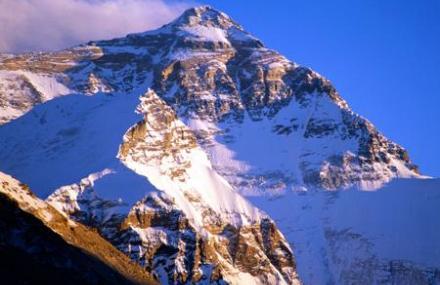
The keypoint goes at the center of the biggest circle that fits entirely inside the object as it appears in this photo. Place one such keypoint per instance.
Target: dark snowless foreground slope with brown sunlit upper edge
(40, 245)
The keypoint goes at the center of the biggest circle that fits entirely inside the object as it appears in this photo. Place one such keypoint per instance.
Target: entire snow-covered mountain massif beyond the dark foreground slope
(164, 142)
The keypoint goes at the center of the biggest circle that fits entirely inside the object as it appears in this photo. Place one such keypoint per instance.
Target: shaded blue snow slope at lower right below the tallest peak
(360, 237)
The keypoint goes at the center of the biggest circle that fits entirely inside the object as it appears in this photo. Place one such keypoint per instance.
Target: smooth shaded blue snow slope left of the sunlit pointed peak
(76, 135)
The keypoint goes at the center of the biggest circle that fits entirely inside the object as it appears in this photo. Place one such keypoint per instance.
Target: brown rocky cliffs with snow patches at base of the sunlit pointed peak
(164, 239)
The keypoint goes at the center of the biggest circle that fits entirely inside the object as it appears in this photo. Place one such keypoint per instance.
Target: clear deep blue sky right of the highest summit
(382, 56)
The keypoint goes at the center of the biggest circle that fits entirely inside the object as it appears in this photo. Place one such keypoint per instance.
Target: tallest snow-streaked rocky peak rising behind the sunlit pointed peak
(229, 89)
